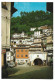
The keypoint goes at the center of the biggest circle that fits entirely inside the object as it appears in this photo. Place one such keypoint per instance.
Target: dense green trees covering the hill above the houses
(31, 19)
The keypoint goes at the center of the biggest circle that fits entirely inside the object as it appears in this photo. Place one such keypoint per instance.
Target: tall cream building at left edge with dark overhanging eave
(6, 9)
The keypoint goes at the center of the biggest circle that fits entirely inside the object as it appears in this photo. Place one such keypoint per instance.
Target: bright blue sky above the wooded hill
(28, 7)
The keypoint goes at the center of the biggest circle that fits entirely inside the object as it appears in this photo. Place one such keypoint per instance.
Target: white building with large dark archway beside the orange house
(36, 57)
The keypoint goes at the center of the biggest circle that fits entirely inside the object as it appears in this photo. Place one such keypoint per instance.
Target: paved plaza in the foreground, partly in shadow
(30, 72)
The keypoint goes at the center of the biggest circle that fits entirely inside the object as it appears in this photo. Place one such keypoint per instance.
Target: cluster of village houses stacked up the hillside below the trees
(36, 49)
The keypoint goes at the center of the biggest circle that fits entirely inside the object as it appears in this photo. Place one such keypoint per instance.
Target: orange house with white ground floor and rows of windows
(21, 53)
